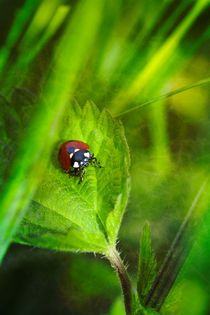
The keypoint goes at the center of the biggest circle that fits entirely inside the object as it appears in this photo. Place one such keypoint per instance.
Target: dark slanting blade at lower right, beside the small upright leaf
(179, 249)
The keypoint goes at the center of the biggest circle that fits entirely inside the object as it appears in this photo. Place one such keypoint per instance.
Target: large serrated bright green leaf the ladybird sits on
(66, 215)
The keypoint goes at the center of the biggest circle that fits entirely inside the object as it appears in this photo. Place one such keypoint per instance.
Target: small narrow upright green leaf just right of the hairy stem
(147, 265)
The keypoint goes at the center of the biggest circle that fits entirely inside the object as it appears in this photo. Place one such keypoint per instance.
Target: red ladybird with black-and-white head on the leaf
(74, 156)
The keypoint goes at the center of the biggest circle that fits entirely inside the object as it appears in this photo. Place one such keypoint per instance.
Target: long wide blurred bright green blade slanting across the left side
(34, 152)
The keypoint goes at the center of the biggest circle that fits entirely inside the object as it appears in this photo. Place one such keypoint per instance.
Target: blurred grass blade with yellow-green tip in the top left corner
(40, 30)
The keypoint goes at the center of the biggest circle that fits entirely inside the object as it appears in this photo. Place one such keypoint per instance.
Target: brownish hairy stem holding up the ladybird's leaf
(117, 263)
